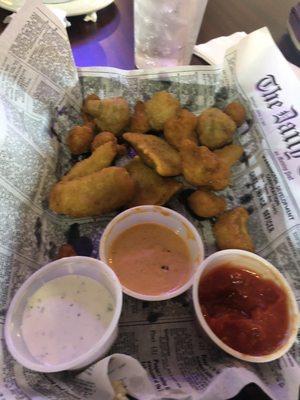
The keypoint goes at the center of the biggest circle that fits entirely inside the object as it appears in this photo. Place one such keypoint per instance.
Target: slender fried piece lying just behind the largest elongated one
(101, 158)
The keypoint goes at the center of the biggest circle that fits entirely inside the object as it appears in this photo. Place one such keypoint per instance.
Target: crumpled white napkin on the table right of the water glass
(214, 51)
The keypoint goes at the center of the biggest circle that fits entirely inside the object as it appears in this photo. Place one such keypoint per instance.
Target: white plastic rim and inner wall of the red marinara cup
(255, 264)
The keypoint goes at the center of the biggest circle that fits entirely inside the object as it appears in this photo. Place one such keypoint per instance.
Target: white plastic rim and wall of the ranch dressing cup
(83, 266)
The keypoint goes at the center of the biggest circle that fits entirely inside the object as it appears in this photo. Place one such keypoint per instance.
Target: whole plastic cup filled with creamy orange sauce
(153, 250)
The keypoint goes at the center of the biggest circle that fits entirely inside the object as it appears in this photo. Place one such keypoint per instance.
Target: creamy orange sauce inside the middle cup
(150, 259)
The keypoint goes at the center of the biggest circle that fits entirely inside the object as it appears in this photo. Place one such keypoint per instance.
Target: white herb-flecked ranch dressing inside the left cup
(65, 318)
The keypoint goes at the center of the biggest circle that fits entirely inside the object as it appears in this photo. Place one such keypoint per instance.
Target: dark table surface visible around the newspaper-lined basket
(109, 42)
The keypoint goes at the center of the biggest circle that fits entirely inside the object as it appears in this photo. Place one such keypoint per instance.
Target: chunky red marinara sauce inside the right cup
(246, 311)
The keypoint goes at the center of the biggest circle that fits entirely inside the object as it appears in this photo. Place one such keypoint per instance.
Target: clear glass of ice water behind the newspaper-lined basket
(166, 31)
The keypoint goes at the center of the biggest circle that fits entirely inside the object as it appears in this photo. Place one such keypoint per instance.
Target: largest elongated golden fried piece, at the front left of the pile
(92, 195)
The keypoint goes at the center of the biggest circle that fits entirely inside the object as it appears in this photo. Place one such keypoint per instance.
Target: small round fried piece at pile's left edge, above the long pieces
(80, 139)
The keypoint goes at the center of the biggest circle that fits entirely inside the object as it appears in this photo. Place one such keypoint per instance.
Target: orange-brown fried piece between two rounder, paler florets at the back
(180, 127)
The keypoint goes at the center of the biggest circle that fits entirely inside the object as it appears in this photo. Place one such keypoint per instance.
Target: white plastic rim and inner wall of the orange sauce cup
(162, 216)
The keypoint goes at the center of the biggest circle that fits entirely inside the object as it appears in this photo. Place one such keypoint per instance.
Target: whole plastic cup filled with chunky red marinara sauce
(245, 306)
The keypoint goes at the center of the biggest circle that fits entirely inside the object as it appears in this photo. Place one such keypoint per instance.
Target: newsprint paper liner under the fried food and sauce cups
(38, 78)
